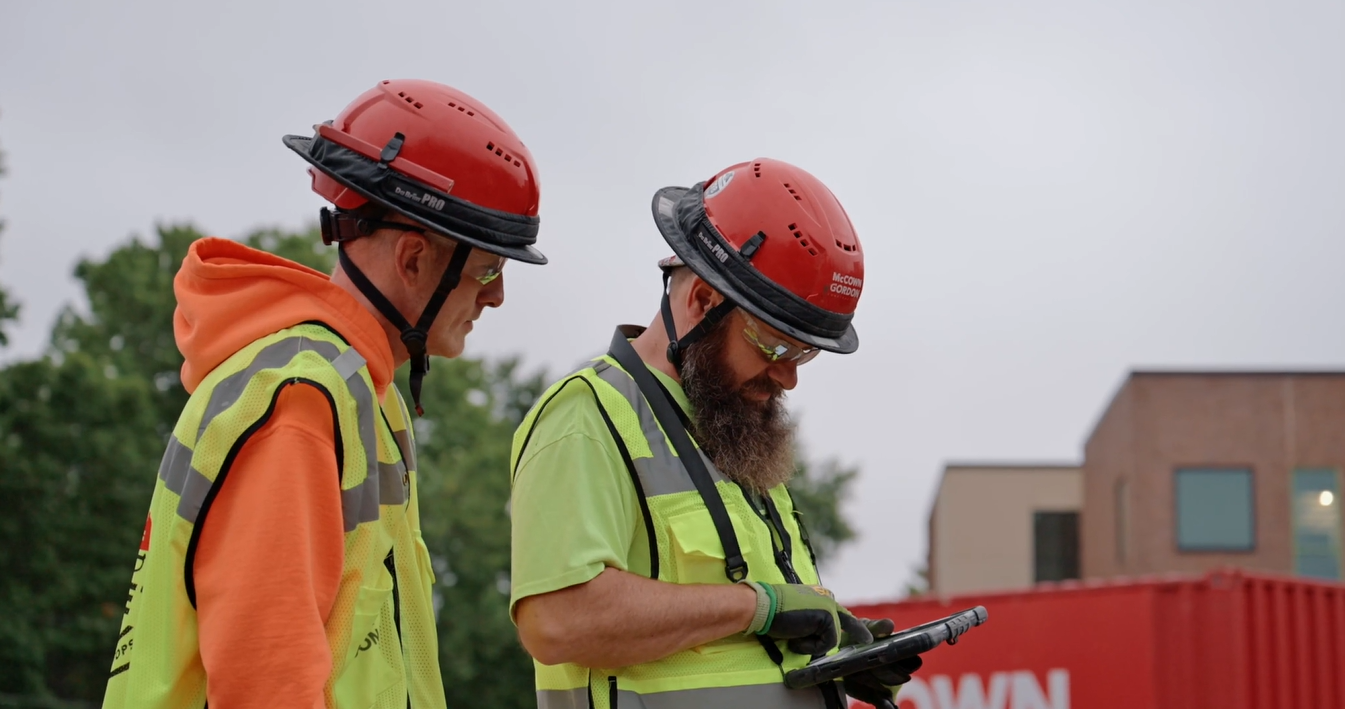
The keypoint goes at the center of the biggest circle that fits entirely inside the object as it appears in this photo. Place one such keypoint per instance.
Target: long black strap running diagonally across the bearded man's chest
(735, 567)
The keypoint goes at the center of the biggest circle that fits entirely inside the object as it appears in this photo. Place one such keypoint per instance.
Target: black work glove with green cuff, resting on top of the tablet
(806, 617)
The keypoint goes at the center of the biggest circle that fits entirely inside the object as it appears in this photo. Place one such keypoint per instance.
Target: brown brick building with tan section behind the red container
(1183, 473)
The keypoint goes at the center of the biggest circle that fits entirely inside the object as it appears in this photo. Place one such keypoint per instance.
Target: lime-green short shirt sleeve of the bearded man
(574, 507)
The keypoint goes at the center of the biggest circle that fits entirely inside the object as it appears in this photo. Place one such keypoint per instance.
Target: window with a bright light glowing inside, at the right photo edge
(1317, 524)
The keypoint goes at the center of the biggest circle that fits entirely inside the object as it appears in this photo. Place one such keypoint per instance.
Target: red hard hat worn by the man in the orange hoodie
(435, 155)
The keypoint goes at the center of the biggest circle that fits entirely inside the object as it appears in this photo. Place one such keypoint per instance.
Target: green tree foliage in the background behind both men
(83, 430)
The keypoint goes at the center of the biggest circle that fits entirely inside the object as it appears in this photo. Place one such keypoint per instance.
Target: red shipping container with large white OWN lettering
(1230, 641)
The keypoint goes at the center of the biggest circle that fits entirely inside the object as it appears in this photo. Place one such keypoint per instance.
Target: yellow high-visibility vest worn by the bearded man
(734, 672)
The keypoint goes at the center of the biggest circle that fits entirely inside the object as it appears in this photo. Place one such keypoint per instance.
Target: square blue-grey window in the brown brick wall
(1215, 511)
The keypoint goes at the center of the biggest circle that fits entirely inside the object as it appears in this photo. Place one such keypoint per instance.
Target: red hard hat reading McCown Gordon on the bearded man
(777, 243)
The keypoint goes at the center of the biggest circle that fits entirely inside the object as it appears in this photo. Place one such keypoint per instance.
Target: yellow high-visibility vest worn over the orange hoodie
(375, 663)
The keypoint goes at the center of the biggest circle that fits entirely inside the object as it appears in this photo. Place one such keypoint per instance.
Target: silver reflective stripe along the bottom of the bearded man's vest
(736, 698)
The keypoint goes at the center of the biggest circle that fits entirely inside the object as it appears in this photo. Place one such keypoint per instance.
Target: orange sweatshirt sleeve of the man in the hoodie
(270, 563)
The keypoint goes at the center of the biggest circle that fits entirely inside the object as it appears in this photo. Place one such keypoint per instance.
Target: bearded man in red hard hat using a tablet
(658, 558)
